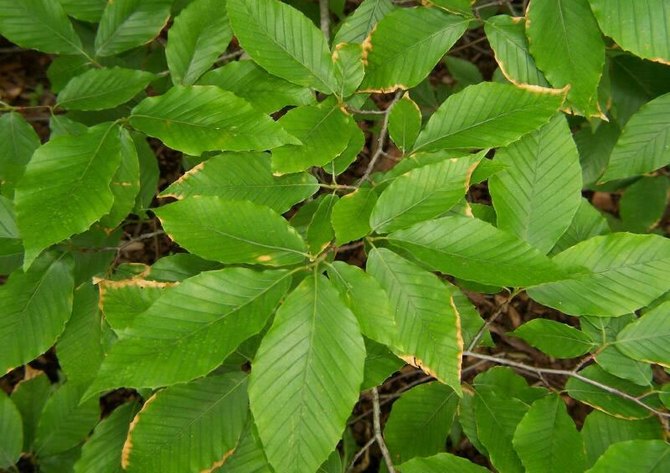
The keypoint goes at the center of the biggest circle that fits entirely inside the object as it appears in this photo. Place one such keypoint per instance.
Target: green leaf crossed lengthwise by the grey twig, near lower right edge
(605, 401)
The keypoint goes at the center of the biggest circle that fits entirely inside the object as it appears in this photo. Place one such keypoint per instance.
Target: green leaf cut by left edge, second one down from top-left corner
(18, 142)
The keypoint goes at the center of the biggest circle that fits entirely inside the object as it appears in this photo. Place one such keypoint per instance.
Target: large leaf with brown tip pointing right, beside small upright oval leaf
(488, 115)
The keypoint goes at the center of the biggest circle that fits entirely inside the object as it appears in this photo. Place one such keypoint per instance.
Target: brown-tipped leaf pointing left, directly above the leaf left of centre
(244, 176)
